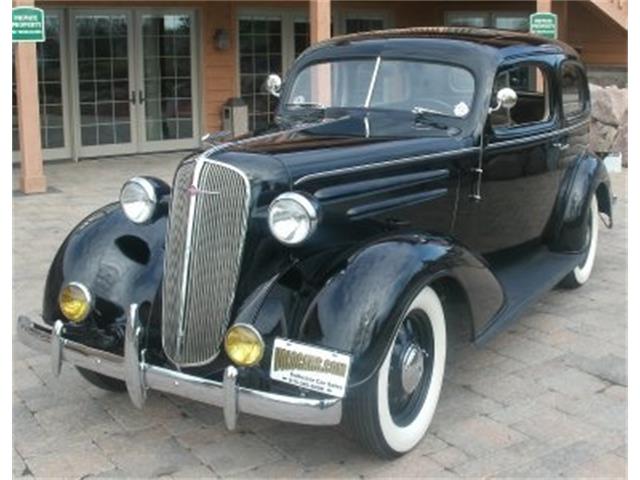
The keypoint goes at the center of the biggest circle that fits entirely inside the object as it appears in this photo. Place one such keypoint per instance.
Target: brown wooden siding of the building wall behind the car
(601, 41)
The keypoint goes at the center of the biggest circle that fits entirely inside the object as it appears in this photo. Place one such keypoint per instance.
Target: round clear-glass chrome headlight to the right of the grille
(293, 217)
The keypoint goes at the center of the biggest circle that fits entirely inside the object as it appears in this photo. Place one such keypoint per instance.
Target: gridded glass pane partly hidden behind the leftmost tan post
(49, 88)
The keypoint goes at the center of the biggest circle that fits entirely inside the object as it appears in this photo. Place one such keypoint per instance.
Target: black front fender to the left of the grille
(119, 261)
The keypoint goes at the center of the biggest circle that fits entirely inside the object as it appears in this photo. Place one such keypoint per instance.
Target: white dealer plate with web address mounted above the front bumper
(310, 367)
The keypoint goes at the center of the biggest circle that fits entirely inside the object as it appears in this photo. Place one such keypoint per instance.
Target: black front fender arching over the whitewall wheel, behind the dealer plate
(358, 307)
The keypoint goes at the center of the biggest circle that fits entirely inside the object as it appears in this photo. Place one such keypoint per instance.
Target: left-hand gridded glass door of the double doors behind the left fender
(104, 82)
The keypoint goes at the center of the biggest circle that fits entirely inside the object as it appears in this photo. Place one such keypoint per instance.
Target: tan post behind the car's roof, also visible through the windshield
(320, 29)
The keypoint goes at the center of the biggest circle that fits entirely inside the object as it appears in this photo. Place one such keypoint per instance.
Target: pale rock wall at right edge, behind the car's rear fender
(609, 120)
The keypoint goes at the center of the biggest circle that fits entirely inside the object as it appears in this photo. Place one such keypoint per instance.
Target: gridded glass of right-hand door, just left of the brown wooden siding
(168, 105)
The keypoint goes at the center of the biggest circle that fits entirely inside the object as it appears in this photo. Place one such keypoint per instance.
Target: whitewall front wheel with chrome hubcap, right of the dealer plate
(391, 412)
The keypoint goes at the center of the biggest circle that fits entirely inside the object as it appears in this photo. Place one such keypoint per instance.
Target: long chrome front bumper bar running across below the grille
(328, 411)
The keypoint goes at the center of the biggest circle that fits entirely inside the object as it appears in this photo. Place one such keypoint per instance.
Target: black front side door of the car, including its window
(520, 165)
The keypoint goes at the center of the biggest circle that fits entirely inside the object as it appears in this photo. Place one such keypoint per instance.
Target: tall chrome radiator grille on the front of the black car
(205, 238)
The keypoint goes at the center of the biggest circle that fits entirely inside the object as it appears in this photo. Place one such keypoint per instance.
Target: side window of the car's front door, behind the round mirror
(531, 83)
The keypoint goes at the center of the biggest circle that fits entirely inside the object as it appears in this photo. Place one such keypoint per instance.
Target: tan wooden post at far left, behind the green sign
(32, 179)
